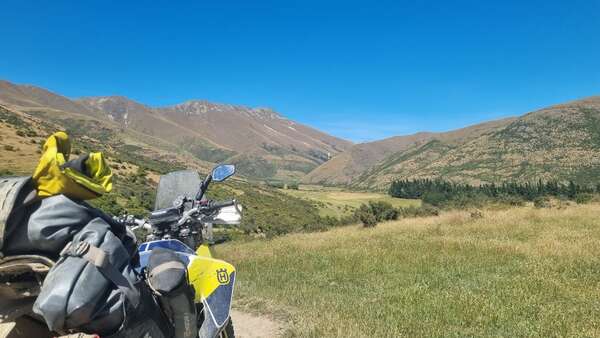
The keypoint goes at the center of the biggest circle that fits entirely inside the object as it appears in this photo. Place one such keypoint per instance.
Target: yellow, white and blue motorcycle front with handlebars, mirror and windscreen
(185, 225)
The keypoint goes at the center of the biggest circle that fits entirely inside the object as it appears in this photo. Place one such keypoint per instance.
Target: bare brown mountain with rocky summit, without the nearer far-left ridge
(263, 143)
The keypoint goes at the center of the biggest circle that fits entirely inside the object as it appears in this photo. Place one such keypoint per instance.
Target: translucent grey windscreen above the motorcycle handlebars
(175, 184)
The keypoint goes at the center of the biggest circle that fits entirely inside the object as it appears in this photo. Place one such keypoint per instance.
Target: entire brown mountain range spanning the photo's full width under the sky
(559, 142)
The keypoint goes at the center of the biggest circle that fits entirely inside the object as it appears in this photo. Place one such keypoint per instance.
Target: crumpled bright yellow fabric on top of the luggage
(53, 177)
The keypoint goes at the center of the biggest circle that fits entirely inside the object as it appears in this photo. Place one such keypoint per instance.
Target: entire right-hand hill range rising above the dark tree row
(561, 142)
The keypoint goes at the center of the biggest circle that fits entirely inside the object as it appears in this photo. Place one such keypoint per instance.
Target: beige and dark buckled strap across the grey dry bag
(98, 258)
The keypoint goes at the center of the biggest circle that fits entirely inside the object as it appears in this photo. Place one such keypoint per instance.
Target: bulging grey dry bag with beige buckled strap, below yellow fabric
(91, 287)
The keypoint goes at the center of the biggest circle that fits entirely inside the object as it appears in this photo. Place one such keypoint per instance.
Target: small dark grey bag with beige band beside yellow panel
(167, 276)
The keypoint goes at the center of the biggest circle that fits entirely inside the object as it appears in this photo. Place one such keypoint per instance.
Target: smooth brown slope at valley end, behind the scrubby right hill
(349, 167)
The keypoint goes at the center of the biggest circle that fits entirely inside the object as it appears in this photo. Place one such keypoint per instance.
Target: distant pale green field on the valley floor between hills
(337, 203)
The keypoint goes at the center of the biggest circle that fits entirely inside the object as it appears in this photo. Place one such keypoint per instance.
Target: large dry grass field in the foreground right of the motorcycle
(516, 272)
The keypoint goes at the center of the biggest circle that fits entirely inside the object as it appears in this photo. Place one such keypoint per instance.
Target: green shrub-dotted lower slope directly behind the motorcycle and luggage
(136, 172)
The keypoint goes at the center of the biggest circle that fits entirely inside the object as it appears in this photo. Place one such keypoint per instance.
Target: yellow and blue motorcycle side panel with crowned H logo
(213, 281)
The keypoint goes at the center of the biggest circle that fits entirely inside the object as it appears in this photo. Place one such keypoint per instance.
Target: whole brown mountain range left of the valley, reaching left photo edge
(264, 144)
